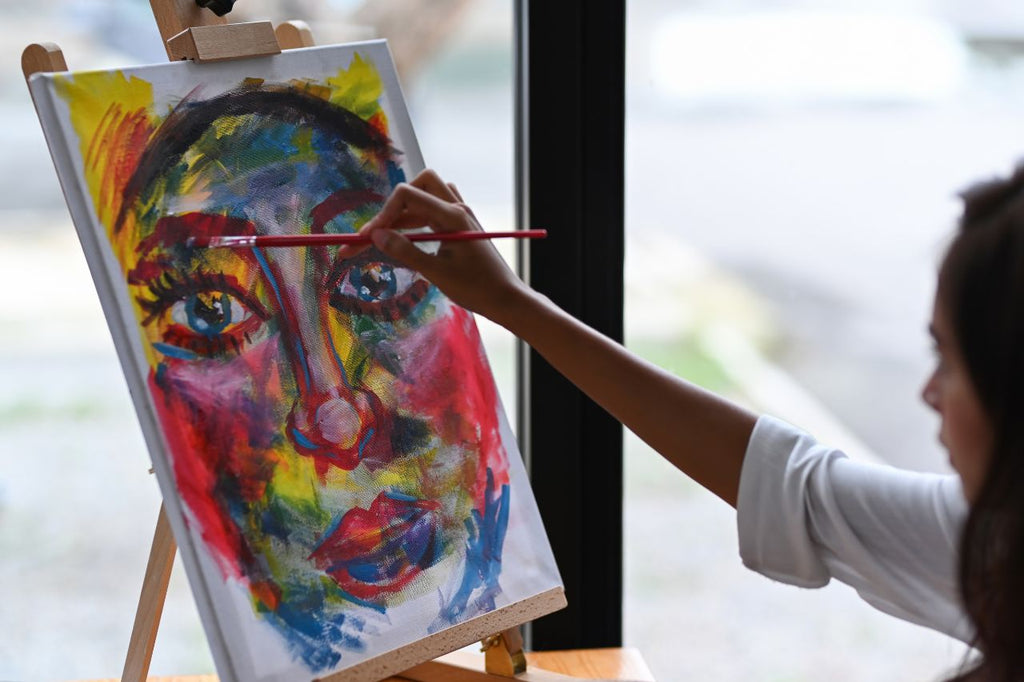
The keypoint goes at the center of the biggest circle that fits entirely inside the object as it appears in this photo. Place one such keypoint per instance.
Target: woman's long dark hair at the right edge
(982, 289)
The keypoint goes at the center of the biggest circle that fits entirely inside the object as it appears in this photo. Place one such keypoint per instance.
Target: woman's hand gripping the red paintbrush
(472, 274)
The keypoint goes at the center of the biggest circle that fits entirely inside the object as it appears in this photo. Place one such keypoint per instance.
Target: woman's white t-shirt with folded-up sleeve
(807, 514)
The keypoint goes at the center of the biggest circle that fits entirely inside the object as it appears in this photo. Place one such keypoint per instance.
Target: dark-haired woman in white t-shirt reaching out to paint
(806, 514)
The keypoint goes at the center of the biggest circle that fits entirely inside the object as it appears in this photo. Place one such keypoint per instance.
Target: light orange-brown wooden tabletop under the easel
(602, 664)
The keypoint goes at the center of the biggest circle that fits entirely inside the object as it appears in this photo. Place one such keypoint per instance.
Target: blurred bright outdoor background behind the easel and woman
(793, 170)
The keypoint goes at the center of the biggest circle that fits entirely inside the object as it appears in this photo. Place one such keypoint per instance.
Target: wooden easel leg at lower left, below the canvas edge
(151, 603)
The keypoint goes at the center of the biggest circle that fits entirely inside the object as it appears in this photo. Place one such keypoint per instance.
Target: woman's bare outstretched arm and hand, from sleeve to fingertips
(701, 434)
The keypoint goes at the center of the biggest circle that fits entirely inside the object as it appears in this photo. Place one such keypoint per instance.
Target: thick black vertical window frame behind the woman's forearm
(570, 127)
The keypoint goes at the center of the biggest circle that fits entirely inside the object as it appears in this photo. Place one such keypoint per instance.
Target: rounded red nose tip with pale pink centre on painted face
(338, 429)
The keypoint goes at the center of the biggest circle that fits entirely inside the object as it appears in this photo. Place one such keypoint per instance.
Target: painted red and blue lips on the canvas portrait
(373, 552)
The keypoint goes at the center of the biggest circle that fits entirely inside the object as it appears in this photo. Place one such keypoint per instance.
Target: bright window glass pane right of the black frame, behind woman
(793, 172)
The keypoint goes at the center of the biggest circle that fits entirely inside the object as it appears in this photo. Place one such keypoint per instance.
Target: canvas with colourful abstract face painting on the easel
(327, 435)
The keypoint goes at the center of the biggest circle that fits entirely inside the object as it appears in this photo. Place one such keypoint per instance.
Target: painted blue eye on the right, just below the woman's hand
(378, 290)
